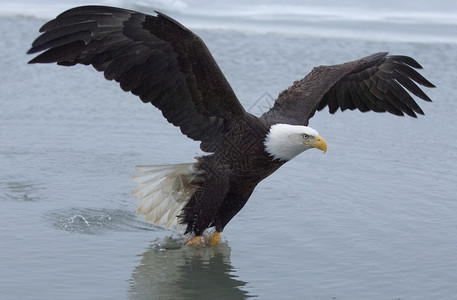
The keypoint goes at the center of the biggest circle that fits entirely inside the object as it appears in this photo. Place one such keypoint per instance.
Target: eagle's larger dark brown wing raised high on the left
(154, 57)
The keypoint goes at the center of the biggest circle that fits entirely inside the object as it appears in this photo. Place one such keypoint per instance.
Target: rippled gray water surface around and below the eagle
(374, 218)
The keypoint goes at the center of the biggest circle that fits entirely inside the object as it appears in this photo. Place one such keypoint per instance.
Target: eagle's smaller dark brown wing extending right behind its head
(378, 83)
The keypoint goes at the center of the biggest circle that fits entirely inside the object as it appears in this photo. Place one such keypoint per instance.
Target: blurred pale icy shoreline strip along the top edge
(332, 19)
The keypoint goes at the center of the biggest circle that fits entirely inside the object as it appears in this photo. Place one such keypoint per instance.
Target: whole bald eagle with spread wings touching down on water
(167, 65)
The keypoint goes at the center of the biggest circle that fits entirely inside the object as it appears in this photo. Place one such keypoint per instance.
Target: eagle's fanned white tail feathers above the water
(164, 190)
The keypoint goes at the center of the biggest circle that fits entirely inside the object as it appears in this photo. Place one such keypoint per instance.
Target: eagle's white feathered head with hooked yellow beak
(285, 141)
